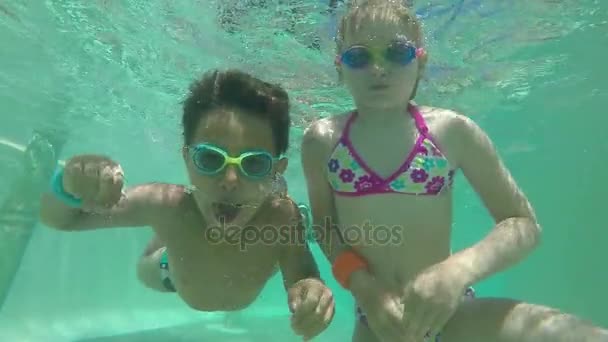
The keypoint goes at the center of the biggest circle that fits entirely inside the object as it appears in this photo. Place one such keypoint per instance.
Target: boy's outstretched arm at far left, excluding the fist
(142, 205)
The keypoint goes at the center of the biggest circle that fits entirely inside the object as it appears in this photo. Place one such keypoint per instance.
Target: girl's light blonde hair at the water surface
(384, 10)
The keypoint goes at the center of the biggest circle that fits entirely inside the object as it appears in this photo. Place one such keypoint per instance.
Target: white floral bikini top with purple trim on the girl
(426, 171)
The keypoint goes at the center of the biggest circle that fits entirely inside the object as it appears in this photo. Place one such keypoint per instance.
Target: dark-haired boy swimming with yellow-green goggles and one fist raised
(219, 242)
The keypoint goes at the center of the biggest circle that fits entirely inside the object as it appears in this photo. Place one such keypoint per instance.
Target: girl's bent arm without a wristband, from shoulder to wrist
(516, 232)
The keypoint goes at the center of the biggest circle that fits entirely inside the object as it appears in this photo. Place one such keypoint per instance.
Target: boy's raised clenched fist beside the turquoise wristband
(97, 180)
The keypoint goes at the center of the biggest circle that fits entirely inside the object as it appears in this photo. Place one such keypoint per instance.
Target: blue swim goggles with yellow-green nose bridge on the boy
(211, 160)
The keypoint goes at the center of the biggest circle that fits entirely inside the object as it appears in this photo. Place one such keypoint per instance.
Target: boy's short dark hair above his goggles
(237, 89)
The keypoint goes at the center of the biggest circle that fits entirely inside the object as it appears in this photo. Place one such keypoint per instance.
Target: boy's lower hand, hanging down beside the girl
(312, 305)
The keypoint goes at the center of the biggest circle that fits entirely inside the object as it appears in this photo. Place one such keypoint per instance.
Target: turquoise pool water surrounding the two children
(107, 73)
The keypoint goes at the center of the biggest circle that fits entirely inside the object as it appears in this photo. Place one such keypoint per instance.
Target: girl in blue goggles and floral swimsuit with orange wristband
(391, 163)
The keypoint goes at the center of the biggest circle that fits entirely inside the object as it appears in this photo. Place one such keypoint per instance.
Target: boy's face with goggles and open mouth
(231, 195)
